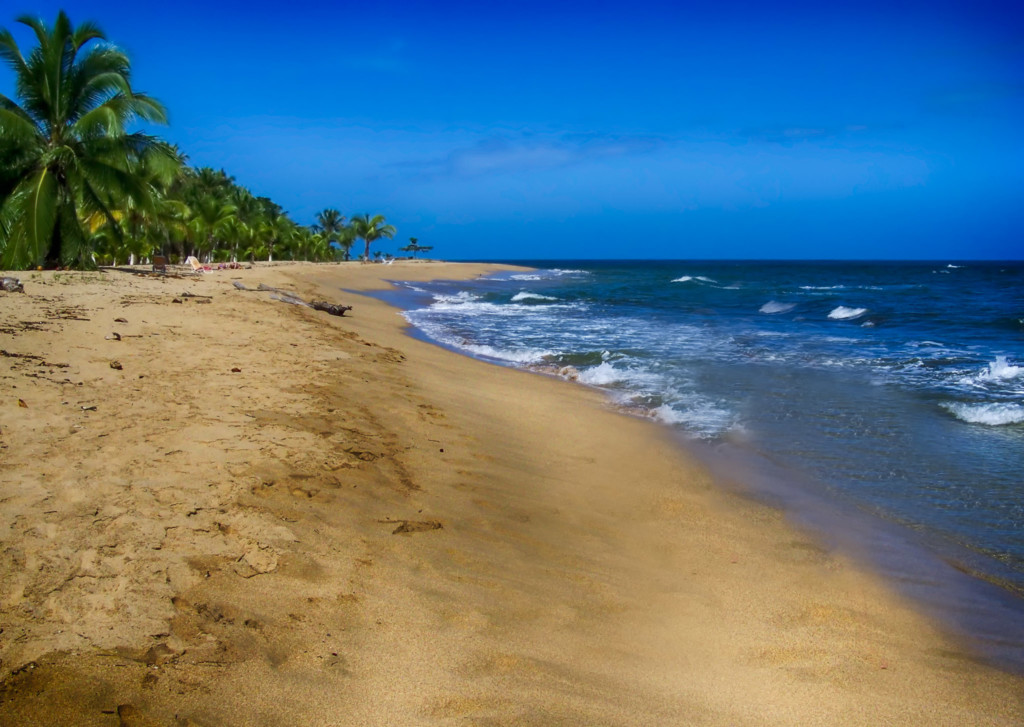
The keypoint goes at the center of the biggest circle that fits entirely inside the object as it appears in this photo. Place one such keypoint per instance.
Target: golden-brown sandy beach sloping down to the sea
(272, 517)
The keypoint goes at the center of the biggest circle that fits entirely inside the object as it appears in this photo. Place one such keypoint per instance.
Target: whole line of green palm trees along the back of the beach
(80, 189)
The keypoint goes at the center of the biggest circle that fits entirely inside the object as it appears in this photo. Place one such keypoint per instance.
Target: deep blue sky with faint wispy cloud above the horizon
(605, 131)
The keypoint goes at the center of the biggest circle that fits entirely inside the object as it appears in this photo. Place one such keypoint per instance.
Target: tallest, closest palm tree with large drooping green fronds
(65, 151)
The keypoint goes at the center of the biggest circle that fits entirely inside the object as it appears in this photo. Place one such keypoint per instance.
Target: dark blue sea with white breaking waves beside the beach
(890, 391)
